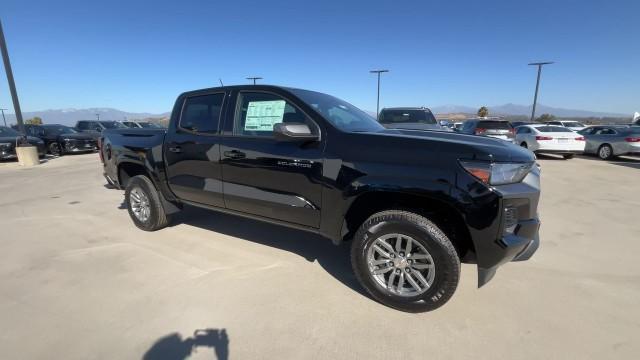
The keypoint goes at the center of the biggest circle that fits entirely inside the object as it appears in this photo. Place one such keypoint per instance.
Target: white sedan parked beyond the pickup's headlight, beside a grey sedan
(550, 139)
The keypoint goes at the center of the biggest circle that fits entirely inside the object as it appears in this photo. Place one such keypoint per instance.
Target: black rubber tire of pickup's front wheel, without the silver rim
(427, 234)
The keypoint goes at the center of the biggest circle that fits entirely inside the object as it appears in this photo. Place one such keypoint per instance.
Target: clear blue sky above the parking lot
(137, 56)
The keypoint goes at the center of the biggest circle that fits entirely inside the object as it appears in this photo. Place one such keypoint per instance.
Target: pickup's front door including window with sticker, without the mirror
(265, 177)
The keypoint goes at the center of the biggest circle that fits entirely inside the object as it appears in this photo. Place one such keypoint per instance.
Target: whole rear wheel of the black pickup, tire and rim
(144, 205)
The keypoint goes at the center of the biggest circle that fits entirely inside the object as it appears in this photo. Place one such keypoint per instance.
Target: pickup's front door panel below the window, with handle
(278, 180)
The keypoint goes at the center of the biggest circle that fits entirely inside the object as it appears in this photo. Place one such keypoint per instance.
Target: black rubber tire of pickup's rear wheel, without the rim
(158, 218)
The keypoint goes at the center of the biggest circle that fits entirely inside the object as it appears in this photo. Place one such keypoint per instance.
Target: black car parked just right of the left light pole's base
(60, 139)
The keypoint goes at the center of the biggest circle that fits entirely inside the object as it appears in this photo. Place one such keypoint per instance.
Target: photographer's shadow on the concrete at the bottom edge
(174, 347)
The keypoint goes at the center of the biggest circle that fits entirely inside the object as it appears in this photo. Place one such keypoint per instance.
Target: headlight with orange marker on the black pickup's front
(497, 173)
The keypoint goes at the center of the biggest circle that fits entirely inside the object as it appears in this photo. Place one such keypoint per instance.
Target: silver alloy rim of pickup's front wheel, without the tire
(401, 265)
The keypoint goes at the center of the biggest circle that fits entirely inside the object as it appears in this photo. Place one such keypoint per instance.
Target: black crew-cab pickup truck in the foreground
(414, 204)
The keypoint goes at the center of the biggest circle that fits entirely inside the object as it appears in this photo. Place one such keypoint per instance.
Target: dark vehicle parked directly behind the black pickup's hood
(411, 118)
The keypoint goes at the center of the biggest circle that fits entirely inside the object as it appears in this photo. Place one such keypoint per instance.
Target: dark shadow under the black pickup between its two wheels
(334, 259)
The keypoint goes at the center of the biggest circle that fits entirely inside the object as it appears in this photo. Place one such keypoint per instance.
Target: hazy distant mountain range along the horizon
(70, 116)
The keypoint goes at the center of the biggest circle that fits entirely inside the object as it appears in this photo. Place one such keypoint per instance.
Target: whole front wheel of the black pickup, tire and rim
(405, 261)
